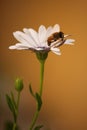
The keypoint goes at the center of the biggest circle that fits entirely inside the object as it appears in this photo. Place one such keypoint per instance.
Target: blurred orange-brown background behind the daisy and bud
(65, 82)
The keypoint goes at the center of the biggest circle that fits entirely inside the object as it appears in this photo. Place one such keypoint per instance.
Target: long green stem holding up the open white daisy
(40, 93)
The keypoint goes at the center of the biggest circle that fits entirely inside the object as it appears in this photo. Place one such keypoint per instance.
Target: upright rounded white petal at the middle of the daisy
(42, 34)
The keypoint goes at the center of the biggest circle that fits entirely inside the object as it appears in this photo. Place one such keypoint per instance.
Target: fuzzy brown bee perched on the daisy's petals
(54, 37)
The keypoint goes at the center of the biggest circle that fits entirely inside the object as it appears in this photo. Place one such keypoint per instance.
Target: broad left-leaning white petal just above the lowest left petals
(22, 37)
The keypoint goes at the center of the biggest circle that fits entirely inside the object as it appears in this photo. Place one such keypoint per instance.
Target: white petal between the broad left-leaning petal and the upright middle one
(33, 33)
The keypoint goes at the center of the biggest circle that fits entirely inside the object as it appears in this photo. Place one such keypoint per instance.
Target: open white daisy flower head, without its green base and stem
(38, 41)
